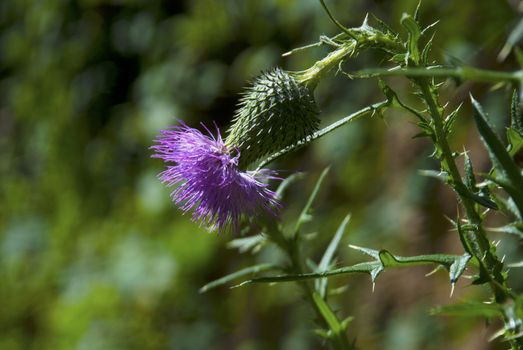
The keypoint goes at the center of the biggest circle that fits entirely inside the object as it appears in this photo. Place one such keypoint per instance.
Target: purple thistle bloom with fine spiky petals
(209, 180)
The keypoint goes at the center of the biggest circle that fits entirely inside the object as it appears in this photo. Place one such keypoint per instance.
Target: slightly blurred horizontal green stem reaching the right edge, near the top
(462, 73)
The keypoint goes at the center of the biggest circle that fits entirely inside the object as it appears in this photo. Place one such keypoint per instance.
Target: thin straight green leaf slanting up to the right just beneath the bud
(320, 133)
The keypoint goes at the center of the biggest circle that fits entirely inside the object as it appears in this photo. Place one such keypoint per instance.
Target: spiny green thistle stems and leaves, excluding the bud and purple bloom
(500, 192)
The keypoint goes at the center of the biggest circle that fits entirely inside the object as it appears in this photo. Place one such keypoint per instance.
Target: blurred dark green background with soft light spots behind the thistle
(93, 255)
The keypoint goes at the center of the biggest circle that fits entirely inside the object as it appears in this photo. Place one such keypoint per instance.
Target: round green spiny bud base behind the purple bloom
(275, 112)
